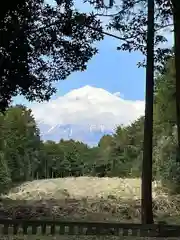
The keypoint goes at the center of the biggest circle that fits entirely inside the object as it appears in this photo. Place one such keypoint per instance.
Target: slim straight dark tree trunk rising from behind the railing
(146, 192)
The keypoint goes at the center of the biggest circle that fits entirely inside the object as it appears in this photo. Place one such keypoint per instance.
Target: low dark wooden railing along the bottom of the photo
(42, 227)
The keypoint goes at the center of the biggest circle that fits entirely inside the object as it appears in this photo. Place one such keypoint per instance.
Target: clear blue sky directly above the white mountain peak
(113, 70)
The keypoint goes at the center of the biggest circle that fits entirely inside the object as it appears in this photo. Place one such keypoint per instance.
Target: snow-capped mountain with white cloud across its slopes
(85, 114)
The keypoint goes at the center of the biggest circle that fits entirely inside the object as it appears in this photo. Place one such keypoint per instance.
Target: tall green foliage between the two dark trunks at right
(166, 158)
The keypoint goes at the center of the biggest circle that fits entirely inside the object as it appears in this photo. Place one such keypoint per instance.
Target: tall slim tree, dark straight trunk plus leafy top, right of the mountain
(138, 31)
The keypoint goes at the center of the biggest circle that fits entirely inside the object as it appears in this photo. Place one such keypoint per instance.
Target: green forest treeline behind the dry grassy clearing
(24, 156)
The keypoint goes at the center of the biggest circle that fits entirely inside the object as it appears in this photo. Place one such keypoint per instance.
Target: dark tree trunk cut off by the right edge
(176, 16)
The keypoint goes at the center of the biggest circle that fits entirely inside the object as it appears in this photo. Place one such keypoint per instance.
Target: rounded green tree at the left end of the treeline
(21, 142)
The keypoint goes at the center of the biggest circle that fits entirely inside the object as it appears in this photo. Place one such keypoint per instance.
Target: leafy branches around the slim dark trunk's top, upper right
(129, 20)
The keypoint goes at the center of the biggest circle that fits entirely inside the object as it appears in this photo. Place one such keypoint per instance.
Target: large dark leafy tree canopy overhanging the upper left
(41, 44)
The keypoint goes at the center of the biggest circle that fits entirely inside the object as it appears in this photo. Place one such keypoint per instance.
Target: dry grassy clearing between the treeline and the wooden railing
(86, 199)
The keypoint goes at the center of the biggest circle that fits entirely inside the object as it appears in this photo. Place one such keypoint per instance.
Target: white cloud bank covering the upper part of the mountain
(88, 107)
